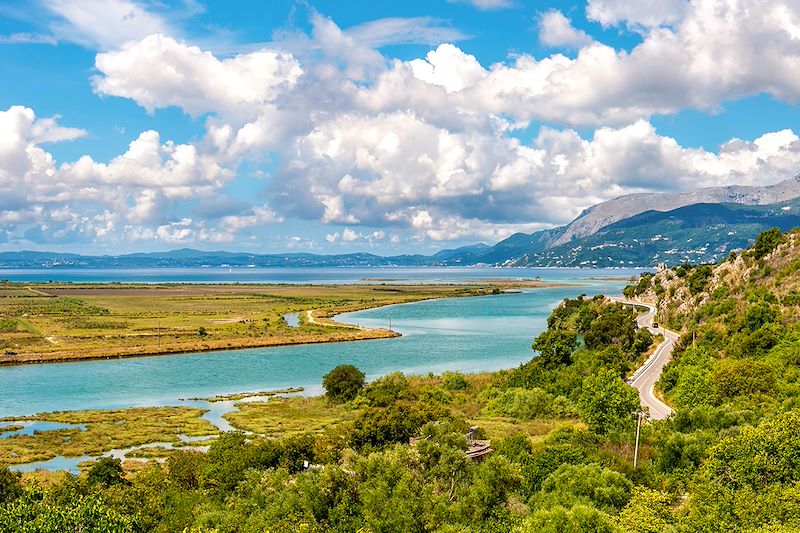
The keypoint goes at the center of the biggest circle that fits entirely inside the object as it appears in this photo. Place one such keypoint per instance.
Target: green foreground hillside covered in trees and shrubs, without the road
(562, 427)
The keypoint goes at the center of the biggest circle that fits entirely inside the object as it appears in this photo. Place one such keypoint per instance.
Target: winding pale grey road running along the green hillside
(645, 377)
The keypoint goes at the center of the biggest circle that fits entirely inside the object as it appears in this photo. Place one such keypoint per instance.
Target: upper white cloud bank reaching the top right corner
(718, 51)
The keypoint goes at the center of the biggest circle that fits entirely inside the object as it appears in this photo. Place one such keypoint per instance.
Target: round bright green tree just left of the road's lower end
(606, 402)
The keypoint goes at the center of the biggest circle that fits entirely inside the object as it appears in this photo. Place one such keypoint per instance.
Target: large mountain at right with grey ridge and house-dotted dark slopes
(596, 237)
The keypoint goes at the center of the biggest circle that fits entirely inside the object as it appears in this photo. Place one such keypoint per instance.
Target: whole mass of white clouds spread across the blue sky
(422, 146)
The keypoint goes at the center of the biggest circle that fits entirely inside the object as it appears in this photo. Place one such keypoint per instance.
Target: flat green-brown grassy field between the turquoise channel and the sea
(58, 322)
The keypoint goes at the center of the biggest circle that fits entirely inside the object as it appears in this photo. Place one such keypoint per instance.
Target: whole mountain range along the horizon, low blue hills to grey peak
(641, 229)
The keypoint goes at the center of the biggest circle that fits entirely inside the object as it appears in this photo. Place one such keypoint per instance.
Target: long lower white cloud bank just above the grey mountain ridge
(357, 169)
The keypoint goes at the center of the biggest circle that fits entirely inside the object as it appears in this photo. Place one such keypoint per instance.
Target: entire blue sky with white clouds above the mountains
(388, 127)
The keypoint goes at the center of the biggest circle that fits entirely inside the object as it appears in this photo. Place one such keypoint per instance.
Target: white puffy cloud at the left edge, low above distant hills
(86, 200)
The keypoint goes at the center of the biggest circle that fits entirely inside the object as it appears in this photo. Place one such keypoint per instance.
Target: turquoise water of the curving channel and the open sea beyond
(464, 334)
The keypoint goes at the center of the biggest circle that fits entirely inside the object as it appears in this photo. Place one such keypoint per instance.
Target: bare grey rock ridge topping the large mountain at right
(606, 213)
